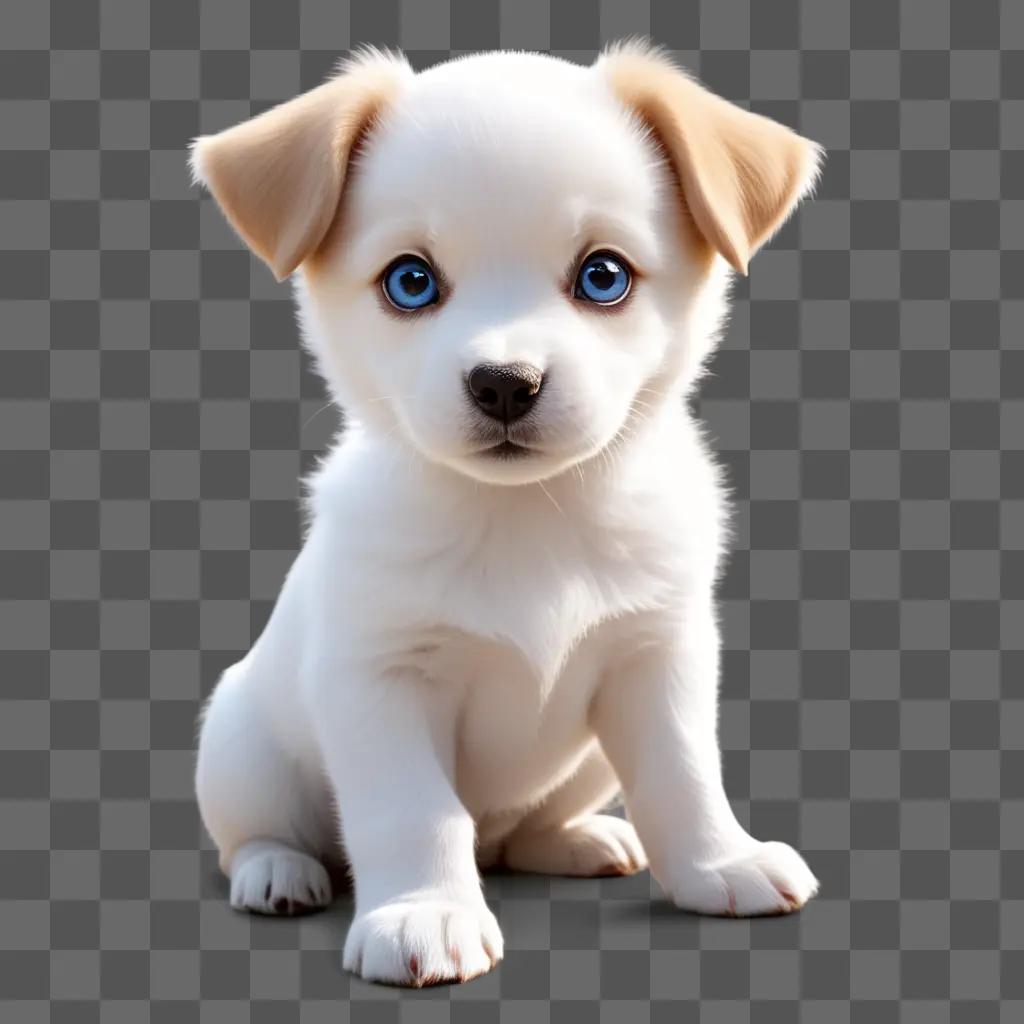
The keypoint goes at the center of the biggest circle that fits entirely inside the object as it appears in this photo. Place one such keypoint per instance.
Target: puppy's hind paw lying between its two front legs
(594, 847)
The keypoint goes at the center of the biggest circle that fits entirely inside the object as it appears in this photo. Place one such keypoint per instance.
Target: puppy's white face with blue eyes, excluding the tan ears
(507, 271)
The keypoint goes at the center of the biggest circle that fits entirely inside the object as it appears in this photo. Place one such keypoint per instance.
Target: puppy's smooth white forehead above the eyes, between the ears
(504, 147)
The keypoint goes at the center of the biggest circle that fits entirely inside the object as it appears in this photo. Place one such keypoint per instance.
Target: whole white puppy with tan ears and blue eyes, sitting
(510, 270)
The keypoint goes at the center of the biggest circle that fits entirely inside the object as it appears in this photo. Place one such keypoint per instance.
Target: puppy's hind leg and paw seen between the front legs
(567, 836)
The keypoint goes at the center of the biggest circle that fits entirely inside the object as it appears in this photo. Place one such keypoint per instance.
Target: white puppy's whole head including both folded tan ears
(508, 261)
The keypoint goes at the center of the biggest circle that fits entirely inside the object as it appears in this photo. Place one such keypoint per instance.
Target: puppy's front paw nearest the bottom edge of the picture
(421, 943)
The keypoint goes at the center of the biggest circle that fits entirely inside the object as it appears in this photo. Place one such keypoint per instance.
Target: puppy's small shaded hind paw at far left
(272, 878)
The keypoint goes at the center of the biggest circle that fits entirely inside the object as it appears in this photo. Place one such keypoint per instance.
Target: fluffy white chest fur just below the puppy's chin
(426, 567)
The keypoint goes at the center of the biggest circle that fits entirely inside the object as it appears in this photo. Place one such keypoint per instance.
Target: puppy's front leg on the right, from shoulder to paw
(658, 721)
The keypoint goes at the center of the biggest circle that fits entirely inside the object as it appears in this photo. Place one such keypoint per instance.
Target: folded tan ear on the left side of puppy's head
(279, 178)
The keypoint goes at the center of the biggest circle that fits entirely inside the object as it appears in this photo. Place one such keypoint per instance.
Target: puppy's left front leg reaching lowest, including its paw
(389, 746)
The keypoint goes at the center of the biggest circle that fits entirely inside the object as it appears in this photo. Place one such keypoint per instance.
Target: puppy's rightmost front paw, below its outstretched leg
(765, 879)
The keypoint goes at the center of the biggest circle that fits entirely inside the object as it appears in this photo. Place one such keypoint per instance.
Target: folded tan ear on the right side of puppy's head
(741, 174)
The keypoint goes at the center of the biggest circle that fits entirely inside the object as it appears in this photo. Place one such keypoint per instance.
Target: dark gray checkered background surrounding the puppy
(869, 401)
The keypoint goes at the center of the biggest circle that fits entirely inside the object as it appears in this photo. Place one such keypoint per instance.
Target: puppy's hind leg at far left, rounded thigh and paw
(271, 824)
